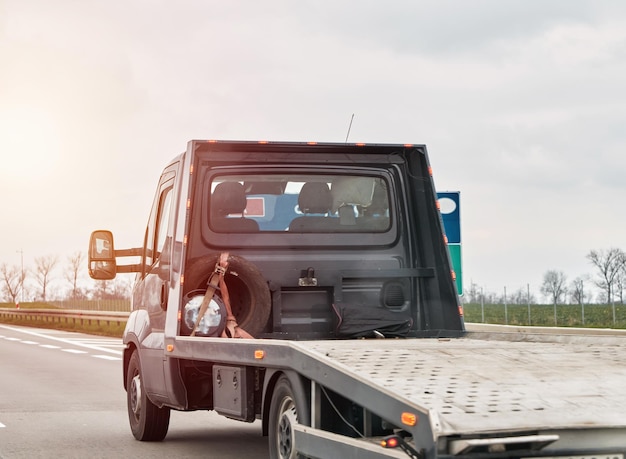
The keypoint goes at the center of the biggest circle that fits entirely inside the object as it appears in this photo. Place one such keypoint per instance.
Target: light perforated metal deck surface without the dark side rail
(471, 385)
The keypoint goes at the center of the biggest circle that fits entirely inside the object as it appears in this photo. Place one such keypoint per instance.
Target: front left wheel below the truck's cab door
(148, 422)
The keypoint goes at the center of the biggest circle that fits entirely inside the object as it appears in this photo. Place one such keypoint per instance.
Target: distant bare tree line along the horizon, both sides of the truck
(51, 280)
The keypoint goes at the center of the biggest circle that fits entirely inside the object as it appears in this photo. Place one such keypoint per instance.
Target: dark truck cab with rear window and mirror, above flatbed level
(313, 230)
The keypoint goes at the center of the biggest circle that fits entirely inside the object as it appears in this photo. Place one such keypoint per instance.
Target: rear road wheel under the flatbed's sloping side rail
(286, 407)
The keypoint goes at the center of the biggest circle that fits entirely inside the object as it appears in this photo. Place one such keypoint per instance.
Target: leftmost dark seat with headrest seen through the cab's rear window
(229, 198)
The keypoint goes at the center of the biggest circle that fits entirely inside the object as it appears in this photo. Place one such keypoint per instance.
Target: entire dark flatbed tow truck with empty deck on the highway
(309, 285)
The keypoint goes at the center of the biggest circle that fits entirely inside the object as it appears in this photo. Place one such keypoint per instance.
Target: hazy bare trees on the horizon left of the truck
(52, 280)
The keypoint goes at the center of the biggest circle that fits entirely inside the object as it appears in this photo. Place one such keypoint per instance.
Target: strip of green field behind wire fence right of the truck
(567, 315)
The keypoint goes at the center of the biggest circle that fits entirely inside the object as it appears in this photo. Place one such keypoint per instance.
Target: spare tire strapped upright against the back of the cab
(249, 293)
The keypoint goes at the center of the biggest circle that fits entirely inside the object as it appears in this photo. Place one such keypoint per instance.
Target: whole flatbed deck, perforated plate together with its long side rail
(462, 385)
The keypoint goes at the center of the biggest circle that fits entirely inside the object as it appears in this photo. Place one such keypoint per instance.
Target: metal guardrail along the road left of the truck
(70, 316)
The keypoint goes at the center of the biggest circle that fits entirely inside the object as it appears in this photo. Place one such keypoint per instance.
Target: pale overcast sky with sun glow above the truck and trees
(522, 105)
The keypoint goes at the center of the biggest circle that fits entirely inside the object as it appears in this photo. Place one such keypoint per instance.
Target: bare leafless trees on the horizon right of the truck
(609, 278)
